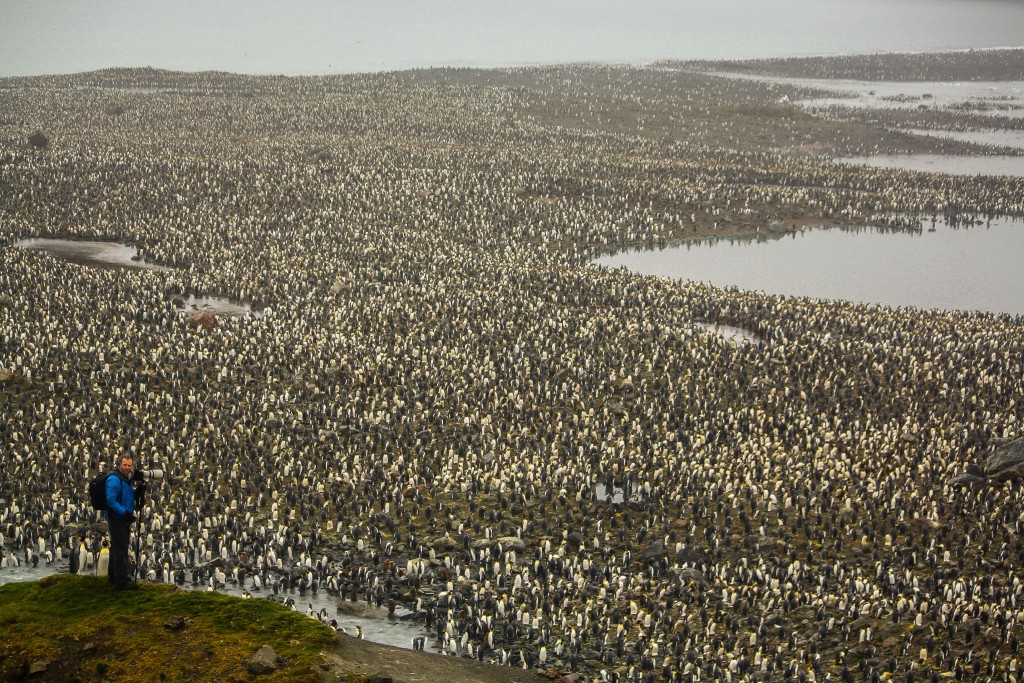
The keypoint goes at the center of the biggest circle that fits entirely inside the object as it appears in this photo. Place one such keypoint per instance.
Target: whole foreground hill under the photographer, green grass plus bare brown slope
(68, 628)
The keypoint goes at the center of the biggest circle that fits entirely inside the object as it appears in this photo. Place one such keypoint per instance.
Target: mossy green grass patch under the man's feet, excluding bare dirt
(89, 632)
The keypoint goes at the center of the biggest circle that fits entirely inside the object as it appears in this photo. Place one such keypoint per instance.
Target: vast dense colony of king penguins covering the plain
(441, 385)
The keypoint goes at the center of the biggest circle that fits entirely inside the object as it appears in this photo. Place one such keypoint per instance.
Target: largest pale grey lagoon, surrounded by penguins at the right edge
(941, 267)
